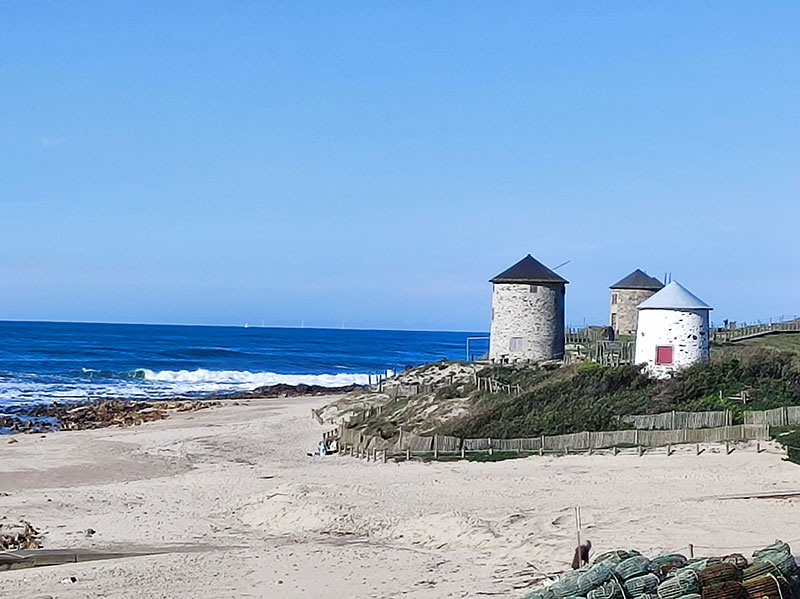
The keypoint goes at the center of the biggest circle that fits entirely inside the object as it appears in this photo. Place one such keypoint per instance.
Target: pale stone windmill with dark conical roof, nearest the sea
(527, 313)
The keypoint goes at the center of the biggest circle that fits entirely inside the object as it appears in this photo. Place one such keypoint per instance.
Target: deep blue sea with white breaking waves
(47, 361)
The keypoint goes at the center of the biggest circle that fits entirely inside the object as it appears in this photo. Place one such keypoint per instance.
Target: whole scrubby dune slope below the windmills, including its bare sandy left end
(591, 397)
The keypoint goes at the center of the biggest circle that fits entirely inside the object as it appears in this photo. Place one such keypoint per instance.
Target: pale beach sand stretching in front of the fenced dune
(230, 492)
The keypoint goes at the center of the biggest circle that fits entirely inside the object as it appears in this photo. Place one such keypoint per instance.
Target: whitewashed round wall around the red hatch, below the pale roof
(685, 330)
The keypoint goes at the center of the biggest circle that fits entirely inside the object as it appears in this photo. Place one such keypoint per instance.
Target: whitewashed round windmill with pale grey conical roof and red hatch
(672, 331)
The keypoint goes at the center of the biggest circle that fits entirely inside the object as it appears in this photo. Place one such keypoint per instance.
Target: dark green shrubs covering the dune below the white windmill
(590, 397)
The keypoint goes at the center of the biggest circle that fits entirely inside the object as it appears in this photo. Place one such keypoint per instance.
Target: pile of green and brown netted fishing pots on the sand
(773, 574)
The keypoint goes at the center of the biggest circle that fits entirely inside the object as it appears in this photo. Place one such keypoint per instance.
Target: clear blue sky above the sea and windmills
(377, 162)
